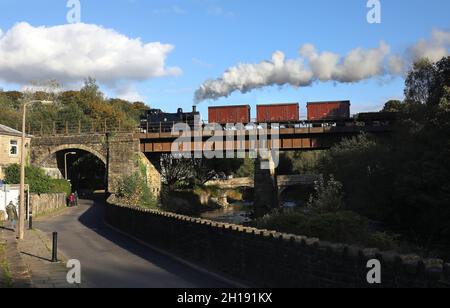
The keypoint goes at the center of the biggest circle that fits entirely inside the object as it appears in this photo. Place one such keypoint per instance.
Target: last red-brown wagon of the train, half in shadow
(322, 111)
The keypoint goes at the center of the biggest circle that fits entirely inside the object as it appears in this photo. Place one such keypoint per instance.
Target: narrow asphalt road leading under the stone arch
(111, 260)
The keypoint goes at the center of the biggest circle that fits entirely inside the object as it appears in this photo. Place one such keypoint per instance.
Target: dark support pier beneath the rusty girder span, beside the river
(266, 186)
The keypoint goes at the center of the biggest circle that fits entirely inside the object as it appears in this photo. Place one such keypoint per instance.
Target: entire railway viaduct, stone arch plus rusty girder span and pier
(124, 153)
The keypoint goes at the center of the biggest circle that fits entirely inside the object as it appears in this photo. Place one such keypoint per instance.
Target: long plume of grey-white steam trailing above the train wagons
(311, 66)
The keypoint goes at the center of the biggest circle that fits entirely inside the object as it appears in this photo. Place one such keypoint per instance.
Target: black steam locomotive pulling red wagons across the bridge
(155, 120)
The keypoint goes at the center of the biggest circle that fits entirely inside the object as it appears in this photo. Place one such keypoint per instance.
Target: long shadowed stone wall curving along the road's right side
(270, 259)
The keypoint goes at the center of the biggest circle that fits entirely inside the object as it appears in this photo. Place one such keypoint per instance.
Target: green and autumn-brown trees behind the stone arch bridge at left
(85, 106)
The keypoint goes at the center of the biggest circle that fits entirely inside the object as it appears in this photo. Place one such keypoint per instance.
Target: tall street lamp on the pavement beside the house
(22, 166)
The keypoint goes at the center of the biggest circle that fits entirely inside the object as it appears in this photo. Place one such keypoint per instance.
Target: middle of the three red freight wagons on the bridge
(281, 113)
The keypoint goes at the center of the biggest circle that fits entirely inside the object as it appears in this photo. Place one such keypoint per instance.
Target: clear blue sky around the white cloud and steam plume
(210, 36)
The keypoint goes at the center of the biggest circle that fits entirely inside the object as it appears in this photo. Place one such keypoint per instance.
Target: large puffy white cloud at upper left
(70, 53)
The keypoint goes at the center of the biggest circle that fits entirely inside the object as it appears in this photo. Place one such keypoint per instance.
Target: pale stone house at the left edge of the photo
(10, 147)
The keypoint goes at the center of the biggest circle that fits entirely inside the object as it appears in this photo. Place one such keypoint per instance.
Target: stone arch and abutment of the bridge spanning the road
(120, 152)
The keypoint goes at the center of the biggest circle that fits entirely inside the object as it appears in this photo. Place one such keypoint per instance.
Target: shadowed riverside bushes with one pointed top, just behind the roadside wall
(327, 218)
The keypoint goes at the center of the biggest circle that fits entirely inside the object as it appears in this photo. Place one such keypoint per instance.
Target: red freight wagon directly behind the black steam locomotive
(229, 114)
